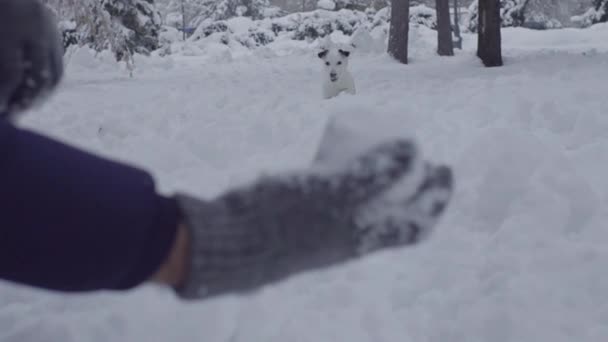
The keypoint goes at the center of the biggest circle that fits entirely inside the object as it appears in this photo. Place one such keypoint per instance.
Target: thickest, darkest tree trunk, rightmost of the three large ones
(488, 35)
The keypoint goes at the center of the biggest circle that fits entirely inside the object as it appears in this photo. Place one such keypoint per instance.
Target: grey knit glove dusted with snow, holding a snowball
(288, 224)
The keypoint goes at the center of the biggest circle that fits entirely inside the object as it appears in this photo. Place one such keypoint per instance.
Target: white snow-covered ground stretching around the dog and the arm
(521, 254)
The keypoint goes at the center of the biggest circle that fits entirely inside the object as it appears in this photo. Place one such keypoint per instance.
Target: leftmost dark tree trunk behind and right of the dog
(399, 30)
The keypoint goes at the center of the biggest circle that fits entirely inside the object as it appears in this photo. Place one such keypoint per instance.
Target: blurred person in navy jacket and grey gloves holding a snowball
(72, 221)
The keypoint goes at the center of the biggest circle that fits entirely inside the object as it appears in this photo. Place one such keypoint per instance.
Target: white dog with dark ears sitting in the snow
(336, 78)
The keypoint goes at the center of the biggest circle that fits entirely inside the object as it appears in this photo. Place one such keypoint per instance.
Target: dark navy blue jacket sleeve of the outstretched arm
(72, 221)
